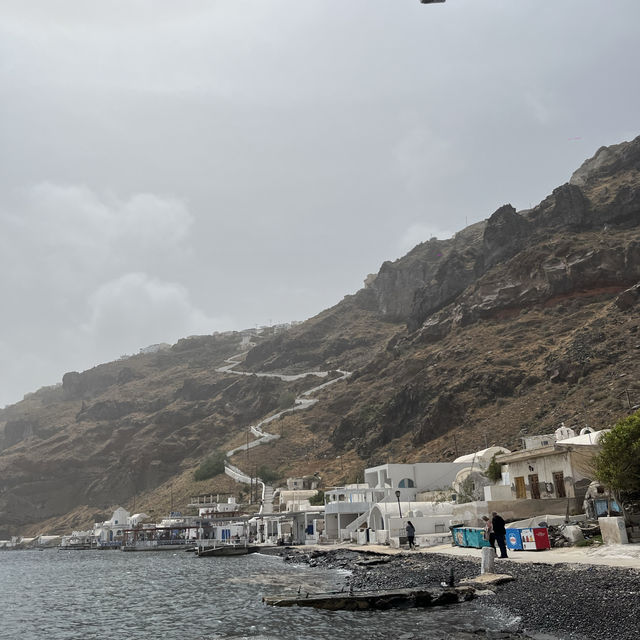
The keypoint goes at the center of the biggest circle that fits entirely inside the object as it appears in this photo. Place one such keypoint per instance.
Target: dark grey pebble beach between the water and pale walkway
(568, 601)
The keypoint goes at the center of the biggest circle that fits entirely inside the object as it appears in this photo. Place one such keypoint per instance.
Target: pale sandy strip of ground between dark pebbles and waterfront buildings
(615, 555)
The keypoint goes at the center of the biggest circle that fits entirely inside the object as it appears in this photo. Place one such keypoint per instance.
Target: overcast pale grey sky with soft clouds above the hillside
(179, 168)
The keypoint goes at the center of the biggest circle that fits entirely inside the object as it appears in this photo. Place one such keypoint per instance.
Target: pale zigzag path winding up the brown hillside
(303, 401)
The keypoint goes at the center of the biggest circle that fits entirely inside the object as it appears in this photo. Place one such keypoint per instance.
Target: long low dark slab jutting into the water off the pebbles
(385, 599)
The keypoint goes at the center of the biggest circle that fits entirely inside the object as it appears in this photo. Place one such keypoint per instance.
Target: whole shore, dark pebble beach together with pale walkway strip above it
(585, 595)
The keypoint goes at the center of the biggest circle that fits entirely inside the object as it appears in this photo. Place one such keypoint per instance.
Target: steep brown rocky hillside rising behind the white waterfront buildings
(514, 325)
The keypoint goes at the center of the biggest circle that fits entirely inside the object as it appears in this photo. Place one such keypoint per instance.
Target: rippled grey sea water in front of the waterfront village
(165, 595)
